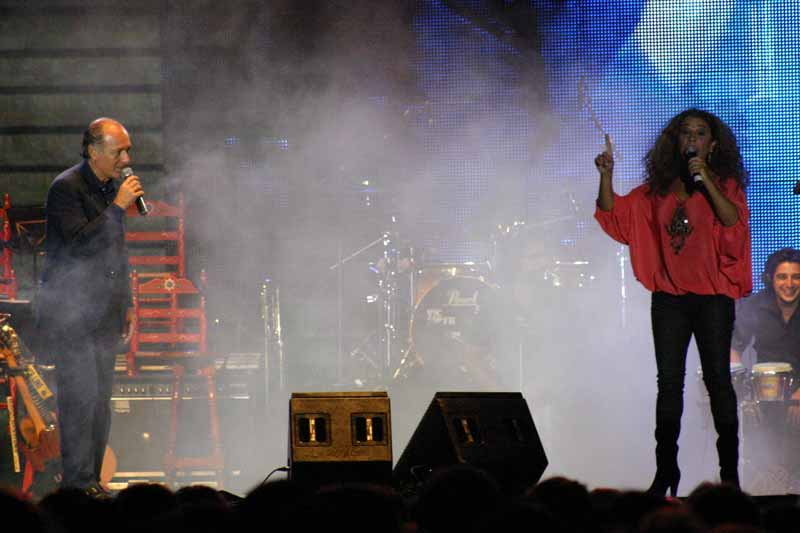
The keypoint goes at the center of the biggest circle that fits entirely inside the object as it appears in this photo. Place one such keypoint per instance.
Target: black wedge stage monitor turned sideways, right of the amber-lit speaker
(491, 431)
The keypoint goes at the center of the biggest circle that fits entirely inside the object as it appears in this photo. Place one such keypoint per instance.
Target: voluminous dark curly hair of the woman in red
(664, 161)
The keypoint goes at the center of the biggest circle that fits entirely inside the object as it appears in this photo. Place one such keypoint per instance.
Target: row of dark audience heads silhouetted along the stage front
(459, 498)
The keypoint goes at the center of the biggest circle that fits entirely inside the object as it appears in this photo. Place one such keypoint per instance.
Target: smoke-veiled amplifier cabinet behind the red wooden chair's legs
(141, 408)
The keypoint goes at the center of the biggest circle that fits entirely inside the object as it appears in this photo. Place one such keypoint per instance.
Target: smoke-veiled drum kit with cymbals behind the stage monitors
(443, 322)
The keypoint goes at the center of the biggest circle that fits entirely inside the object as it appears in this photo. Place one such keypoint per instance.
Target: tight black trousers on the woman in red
(710, 319)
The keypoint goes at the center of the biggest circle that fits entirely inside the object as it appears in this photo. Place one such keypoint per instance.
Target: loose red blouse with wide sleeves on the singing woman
(714, 259)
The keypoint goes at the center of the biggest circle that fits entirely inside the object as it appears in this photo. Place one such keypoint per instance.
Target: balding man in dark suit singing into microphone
(85, 293)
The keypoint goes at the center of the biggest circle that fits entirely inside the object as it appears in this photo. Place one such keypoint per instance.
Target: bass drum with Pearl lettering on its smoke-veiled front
(454, 333)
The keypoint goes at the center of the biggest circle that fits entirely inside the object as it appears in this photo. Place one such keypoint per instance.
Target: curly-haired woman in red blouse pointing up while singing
(687, 228)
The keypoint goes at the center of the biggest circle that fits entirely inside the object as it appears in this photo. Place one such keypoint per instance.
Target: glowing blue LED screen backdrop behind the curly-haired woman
(639, 63)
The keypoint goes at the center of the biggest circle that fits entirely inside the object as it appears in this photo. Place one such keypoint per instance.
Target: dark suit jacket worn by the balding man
(85, 282)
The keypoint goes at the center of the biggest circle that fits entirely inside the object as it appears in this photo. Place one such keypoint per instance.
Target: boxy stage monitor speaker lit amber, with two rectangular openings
(340, 437)
